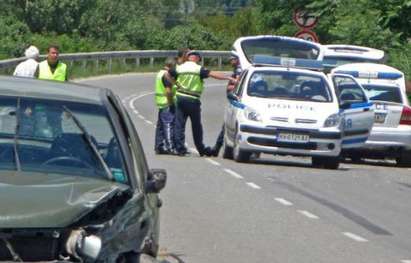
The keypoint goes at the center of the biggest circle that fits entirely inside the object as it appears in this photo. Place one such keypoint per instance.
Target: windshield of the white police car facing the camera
(288, 85)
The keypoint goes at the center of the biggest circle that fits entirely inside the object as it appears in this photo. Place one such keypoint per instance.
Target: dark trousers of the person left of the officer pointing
(165, 129)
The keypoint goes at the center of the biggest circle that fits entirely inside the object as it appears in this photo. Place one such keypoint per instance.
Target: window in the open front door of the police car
(348, 90)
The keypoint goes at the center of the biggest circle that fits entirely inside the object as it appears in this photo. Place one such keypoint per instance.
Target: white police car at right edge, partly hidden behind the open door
(391, 134)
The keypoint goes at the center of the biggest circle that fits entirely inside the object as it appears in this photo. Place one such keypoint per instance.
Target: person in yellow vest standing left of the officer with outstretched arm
(164, 137)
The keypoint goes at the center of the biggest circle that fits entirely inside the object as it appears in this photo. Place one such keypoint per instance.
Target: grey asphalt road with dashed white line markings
(274, 209)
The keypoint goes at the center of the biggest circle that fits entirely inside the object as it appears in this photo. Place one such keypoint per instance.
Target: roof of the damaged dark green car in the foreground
(64, 91)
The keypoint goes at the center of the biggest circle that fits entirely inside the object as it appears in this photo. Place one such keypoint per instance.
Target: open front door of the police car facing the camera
(356, 110)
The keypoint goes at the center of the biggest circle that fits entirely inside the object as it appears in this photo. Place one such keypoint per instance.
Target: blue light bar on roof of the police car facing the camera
(264, 60)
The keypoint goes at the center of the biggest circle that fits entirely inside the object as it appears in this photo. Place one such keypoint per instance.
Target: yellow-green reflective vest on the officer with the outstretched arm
(188, 77)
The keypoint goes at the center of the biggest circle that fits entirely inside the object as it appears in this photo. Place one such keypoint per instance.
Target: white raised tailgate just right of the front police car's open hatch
(353, 51)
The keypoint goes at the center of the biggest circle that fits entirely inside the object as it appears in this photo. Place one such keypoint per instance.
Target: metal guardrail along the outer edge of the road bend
(108, 56)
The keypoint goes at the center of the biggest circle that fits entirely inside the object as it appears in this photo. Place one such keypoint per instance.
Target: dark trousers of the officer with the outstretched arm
(188, 108)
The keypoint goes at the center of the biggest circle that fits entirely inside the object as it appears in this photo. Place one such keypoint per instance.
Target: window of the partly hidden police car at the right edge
(383, 93)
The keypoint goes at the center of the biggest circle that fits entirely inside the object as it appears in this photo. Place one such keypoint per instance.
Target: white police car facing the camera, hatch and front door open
(282, 106)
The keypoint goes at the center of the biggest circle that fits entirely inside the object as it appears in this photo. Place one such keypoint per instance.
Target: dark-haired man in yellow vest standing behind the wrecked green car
(52, 68)
